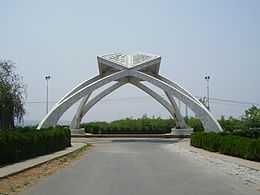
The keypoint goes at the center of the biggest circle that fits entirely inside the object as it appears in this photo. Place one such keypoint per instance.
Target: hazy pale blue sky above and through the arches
(194, 37)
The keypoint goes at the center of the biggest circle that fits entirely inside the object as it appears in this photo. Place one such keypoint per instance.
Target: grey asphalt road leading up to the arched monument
(138, 167)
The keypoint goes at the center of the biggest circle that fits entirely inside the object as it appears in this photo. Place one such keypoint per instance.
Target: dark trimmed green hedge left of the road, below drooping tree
(25, 143)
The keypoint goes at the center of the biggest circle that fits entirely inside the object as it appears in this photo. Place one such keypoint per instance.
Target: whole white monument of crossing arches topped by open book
(134, 69)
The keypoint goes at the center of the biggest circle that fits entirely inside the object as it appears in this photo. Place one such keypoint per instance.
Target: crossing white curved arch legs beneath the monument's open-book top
(132, 76)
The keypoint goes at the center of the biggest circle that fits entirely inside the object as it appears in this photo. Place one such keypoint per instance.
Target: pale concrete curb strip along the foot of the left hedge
(19, 167)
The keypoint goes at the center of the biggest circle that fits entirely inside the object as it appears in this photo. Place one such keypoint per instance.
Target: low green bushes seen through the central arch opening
(131, 126)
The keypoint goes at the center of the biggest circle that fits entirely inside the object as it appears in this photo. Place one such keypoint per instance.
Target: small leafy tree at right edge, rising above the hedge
(252, 117)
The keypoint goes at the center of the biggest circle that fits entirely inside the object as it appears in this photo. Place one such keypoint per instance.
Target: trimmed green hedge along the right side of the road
(233, 145)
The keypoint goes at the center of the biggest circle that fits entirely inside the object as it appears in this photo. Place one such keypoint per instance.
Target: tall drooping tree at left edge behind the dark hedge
(12, 94)
